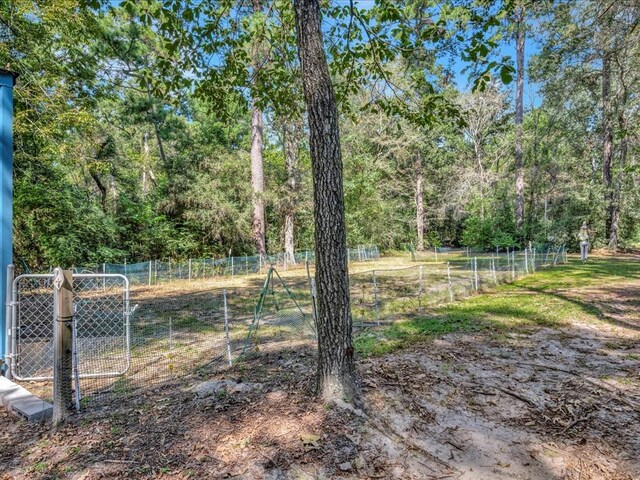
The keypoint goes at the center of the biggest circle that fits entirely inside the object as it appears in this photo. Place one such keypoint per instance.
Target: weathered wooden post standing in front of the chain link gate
(62, 347)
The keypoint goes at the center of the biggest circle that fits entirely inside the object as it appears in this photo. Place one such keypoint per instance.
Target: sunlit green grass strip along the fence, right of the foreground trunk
(544, 299)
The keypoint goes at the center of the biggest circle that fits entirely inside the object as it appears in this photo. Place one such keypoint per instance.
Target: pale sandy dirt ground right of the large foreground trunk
(542, 404)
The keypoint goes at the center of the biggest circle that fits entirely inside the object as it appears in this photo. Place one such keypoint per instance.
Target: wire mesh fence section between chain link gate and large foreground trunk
(180, 333)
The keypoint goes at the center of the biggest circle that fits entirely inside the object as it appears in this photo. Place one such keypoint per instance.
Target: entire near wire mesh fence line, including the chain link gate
(129, 343)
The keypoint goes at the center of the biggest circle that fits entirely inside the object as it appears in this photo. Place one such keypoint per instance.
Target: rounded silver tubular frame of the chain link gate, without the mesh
(11, 333)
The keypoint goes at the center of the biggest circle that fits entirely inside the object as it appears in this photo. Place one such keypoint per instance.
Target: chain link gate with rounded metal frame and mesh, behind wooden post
(101, 340)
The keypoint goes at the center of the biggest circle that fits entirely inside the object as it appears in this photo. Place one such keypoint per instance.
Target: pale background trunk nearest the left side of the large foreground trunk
(291, 158)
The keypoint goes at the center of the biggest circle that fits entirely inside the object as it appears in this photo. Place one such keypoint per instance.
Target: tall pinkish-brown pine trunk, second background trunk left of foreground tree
(257, 175)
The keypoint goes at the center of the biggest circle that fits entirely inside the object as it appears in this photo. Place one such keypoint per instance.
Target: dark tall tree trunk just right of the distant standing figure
(607, 140)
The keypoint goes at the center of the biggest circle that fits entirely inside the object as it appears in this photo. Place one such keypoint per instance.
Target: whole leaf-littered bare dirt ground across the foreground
(538, 402)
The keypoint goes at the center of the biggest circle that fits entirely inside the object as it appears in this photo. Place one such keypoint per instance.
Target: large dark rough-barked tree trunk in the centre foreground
(336, 378)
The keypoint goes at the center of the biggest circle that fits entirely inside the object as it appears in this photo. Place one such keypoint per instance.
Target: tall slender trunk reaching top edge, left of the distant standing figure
(520, 41)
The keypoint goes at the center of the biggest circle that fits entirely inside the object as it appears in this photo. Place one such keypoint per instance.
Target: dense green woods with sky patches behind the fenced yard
(123, 152)
